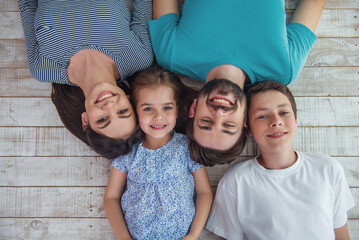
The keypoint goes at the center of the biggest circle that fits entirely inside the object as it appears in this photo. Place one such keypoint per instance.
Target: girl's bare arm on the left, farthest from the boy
(111, 203)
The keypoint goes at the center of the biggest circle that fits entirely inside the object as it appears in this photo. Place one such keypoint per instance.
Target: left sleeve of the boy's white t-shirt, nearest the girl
(223, 219)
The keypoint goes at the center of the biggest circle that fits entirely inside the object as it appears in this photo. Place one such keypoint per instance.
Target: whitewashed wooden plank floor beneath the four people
(51, 185)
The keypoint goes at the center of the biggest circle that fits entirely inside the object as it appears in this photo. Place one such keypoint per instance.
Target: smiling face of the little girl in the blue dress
(157, 112)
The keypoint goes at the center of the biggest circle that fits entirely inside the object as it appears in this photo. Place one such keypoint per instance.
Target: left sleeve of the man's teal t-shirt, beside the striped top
(162, 33)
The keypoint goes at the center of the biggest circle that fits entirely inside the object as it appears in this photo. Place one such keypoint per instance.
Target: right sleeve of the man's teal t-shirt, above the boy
(300, 41)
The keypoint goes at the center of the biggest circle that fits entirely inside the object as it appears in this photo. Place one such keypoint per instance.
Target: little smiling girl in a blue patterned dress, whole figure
(156, 191)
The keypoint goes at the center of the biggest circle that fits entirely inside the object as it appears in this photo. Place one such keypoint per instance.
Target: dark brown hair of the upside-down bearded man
(210, 157)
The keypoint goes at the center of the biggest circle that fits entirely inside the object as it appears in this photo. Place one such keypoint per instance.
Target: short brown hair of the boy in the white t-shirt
(267, 86)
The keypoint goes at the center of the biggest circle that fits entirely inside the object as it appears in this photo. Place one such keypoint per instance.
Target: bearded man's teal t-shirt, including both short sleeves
(251, 36)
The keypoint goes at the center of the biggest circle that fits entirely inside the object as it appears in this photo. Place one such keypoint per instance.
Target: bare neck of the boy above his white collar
(278, 160)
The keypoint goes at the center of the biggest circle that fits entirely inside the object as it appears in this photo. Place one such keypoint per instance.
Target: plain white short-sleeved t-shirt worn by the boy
(305, 201)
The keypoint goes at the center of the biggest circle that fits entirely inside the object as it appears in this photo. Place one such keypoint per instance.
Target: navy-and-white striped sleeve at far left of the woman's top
(37, 64)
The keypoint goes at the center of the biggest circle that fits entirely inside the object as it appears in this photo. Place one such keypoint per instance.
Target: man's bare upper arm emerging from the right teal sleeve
(308, 13)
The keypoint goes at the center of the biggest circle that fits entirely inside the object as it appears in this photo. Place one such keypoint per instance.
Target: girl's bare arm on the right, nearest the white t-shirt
(204, 198)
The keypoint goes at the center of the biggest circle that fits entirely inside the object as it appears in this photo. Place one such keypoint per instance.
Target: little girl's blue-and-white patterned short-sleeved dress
(159, 198)
